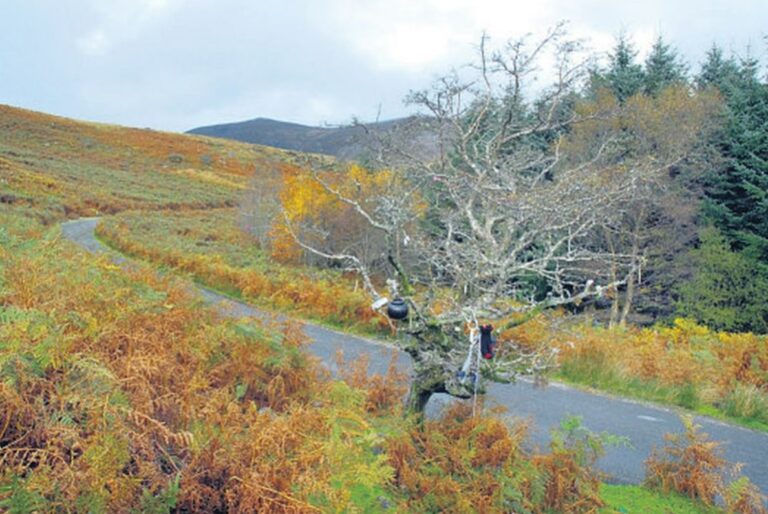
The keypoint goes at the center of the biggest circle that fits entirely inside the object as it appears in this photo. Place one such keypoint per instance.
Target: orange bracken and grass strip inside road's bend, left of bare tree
(211, 248)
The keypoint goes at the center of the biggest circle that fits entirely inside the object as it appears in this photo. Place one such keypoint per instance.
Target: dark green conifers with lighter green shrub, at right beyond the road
(706, 231)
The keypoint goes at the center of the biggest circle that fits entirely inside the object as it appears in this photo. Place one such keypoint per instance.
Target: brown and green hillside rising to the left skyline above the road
(54, 168)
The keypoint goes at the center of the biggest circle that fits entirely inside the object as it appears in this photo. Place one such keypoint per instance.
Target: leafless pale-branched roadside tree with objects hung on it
(510, 219)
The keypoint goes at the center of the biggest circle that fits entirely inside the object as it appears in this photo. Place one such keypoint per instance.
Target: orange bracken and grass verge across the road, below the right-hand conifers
(685, 364)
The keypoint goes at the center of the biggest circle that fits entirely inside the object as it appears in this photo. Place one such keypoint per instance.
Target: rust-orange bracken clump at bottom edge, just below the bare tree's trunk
(460, 463)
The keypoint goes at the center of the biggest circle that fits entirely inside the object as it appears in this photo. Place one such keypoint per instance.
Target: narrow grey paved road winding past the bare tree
(643, 424)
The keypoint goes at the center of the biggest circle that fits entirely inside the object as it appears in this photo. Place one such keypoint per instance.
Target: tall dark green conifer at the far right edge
(737, 188)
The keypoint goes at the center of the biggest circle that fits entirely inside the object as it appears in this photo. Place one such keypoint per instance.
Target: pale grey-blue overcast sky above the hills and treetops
(179, 64)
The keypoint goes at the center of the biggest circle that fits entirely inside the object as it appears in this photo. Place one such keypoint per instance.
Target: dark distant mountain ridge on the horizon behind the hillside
(344, 142)
